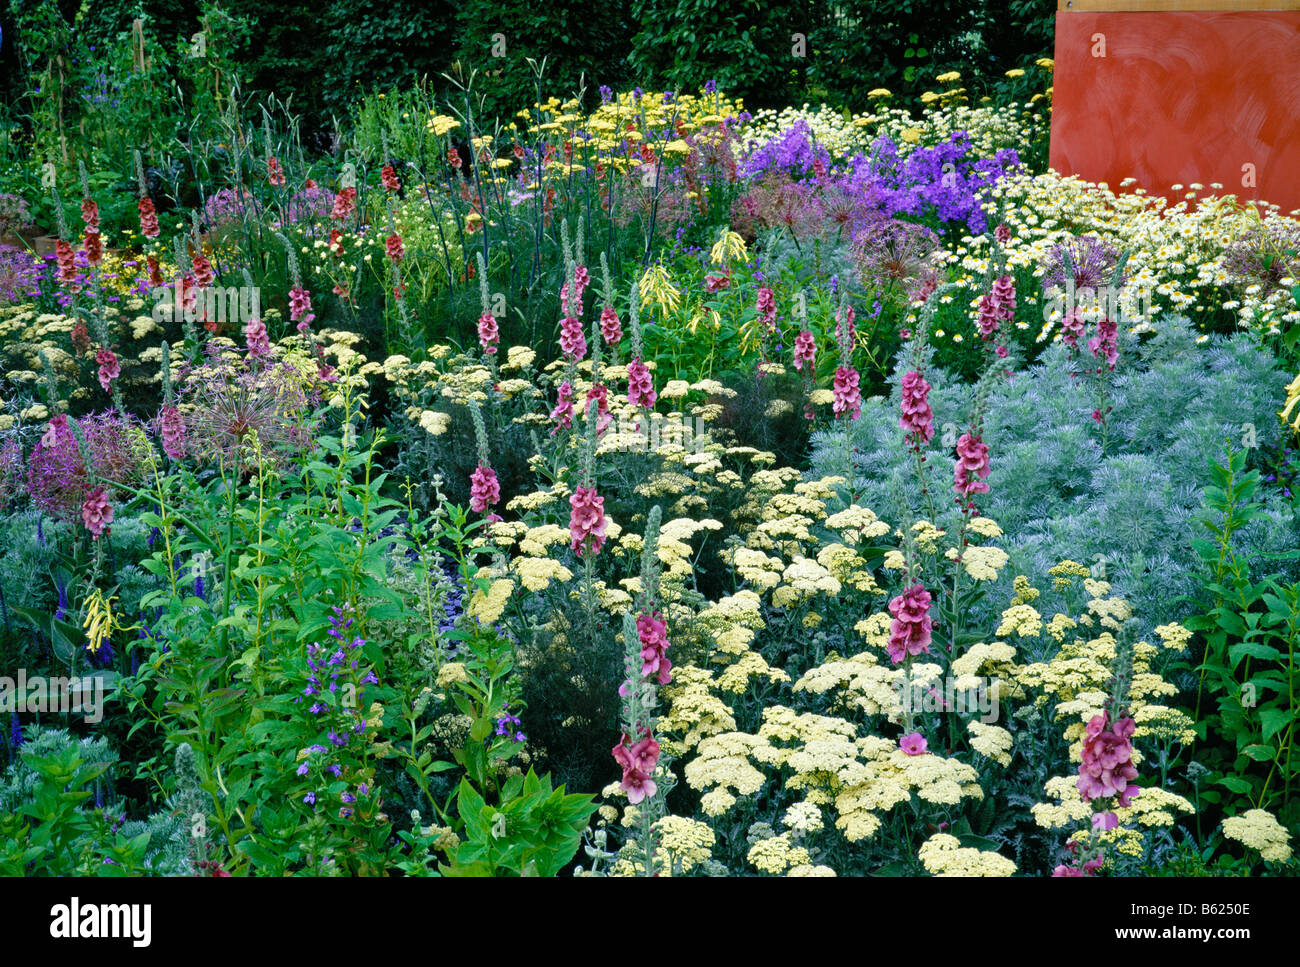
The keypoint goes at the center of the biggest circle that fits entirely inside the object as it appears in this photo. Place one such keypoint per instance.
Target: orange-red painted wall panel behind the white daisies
(1180, 99)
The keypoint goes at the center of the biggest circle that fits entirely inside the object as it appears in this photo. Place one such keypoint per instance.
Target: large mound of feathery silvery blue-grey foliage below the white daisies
(1177, 405)
